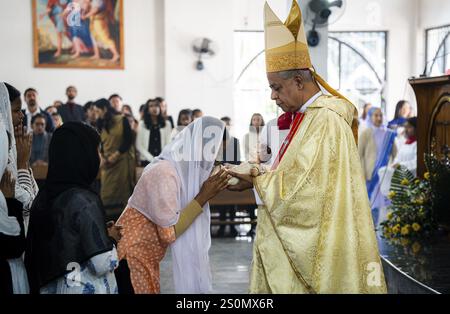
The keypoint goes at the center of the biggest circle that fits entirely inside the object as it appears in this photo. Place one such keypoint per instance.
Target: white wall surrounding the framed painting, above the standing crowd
(142, 78)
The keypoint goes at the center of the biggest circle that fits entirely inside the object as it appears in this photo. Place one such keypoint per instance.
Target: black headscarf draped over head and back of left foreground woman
(67, 222)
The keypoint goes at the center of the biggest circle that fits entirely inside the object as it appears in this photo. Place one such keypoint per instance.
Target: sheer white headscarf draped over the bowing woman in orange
(192, 154)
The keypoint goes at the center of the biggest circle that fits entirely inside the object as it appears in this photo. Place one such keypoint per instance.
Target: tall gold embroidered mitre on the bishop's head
(286, 45)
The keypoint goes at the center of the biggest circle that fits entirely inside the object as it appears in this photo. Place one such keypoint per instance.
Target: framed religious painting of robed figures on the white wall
(78, 34)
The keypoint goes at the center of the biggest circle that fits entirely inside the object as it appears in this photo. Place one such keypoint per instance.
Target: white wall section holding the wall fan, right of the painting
(211, 89)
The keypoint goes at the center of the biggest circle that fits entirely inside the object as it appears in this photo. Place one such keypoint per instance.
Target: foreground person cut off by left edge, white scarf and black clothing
(13, 278)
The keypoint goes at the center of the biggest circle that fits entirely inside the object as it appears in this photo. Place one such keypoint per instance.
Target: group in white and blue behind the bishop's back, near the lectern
(383, 147)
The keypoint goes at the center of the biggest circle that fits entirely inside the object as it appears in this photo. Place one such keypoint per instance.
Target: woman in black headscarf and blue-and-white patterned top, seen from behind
(69, 249)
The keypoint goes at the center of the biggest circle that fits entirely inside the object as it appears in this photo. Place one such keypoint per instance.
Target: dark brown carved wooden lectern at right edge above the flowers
(433, 115)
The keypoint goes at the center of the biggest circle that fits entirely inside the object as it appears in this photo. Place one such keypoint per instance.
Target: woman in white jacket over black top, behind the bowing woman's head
(153, 133)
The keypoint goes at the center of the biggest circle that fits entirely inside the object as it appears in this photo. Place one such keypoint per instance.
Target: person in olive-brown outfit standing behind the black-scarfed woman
(118, 171)
